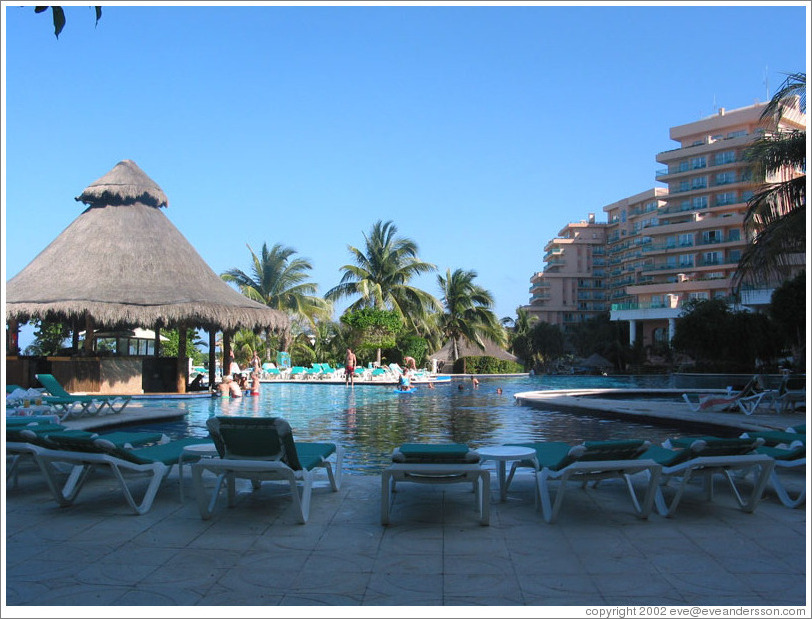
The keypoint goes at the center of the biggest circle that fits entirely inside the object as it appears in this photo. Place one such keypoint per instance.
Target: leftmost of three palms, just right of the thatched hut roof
(281, 282)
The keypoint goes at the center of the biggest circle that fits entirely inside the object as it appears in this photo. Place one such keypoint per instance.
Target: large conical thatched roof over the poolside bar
(124, 263)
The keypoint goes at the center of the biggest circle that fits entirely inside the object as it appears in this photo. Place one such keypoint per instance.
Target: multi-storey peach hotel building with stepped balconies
(666, 246)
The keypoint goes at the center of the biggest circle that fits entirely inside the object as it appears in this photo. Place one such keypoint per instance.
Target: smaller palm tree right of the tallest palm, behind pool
(468, 313)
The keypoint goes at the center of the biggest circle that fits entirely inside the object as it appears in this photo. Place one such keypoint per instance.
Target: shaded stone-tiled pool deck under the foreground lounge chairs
(97, 553)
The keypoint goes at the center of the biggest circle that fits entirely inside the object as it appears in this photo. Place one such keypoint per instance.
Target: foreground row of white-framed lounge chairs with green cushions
(263, 449)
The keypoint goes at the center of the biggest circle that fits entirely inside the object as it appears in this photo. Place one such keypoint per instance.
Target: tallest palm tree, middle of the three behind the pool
(381, 274)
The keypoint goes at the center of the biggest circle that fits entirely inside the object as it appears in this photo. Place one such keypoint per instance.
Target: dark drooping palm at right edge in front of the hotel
(776, 214)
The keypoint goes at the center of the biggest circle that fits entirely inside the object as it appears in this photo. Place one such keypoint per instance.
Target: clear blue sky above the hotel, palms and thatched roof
(481, 131)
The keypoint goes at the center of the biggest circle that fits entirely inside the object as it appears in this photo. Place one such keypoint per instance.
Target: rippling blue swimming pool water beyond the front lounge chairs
(371, 420)
